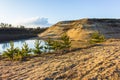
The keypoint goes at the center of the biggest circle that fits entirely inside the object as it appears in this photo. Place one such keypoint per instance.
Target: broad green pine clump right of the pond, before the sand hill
(63, 44)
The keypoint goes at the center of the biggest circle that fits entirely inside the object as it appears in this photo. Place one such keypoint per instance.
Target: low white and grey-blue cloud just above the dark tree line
(33, 22)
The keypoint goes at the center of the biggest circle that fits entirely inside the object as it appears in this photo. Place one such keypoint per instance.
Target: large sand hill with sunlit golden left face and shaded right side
(81, 29)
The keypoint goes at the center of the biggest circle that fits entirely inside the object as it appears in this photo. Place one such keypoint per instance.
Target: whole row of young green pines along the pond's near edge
(21, 54)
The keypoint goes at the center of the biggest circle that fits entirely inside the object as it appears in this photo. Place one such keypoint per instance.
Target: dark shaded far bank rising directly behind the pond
(17, 33)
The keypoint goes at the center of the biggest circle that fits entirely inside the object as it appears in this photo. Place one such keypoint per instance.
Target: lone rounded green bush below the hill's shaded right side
(97, 38)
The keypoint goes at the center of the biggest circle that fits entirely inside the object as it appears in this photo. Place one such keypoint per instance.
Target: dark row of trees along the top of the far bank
(10, 29)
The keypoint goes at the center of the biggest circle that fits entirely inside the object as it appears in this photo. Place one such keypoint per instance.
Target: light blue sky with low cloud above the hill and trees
(48, 12)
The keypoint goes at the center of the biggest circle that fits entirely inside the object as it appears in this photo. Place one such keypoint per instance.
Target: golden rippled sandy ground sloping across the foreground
(93, 63)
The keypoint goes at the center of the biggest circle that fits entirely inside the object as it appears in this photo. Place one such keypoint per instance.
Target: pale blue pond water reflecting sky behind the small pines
(19, 44)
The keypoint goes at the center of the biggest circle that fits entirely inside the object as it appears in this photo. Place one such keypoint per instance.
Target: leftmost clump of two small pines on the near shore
(16, 53)
